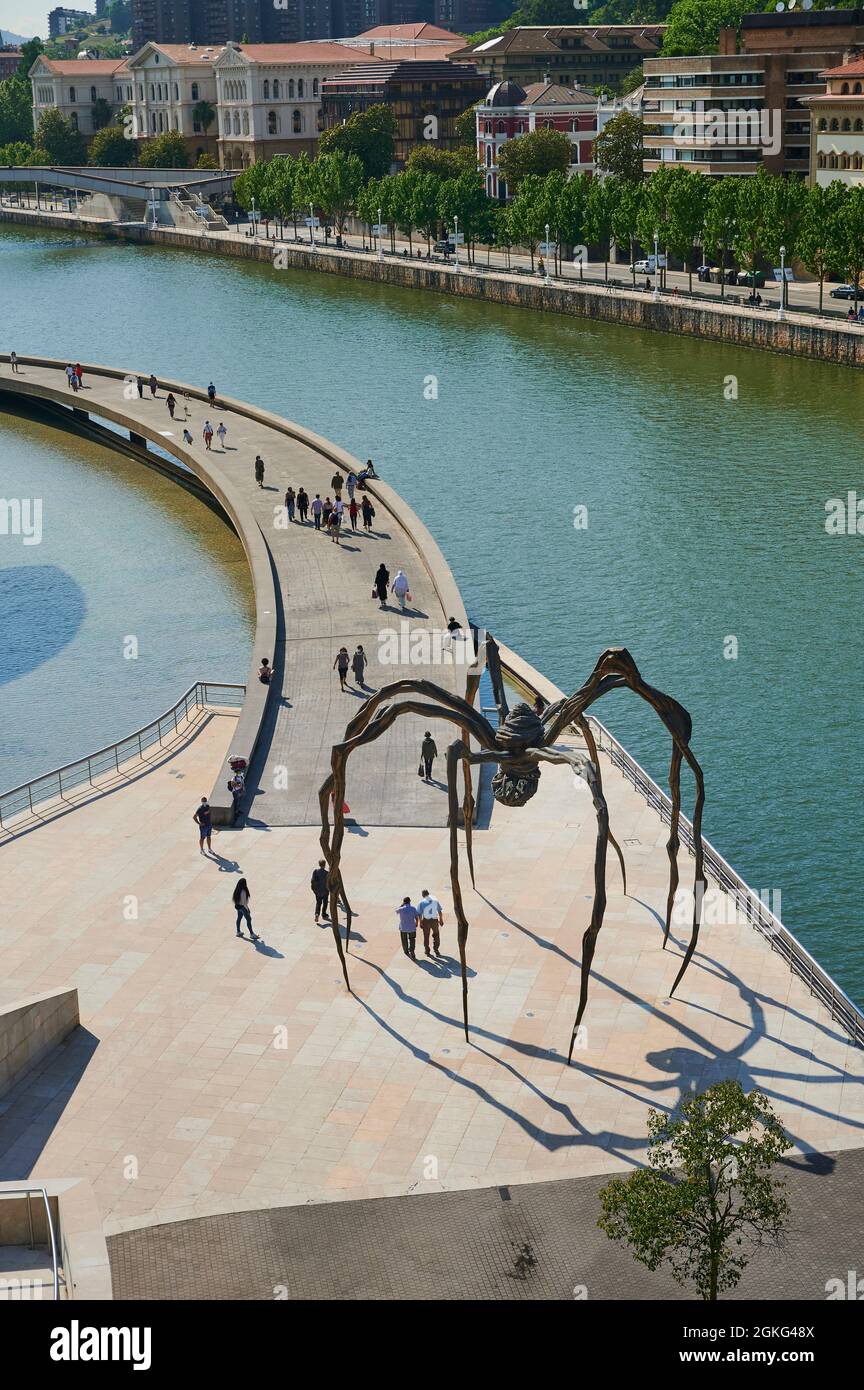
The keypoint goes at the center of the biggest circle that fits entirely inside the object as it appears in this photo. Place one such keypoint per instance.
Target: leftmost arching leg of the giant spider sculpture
(365, 730)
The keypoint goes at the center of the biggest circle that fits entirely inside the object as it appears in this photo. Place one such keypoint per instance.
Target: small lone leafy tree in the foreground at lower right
(708, 1196)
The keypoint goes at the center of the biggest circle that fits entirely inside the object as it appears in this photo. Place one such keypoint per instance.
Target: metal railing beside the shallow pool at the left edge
(201, 696)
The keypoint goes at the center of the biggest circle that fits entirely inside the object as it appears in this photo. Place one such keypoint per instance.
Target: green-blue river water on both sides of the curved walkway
(590, 486)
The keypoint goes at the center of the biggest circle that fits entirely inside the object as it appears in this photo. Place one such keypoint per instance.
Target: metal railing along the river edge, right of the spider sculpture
(842, 1010)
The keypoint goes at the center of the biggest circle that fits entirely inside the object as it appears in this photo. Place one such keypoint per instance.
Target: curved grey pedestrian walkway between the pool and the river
(312, 596)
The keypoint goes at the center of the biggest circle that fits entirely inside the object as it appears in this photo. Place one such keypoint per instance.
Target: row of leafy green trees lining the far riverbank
(690, 216)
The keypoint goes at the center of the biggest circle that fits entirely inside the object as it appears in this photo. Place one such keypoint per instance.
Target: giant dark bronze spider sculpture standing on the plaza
(519, 746)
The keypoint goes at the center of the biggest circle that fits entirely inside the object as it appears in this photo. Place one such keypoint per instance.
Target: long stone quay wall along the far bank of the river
(799, 336)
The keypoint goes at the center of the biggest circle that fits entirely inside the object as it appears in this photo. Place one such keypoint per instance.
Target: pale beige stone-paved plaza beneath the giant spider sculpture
(212, 1075)
